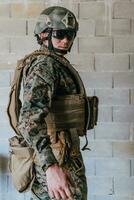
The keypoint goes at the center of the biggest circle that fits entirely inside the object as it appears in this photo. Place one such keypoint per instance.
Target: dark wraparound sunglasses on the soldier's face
(61, 34)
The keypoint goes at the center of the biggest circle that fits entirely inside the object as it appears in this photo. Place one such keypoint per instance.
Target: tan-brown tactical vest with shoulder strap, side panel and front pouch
(68, 111)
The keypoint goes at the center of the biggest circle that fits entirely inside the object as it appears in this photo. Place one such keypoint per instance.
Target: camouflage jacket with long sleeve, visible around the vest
(45, 78)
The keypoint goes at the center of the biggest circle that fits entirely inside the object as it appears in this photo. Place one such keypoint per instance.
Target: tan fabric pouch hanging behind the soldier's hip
(21, 164)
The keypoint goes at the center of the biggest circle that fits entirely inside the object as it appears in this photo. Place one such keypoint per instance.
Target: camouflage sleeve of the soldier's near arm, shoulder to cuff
(38, 92)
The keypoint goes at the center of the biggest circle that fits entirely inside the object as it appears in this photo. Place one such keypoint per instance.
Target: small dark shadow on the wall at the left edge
(3, 164)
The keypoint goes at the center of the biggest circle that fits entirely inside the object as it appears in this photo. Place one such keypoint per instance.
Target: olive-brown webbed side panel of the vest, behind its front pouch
(67, 112)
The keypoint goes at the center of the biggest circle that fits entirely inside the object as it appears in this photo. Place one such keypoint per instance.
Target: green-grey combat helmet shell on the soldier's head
(56, 17)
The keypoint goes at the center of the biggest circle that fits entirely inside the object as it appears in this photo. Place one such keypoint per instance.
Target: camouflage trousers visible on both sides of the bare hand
(77, 171)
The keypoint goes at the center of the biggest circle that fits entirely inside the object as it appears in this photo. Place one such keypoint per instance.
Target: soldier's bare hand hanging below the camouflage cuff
(59, 183)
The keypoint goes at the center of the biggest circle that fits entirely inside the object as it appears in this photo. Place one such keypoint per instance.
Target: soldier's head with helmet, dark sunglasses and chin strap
(56, 28)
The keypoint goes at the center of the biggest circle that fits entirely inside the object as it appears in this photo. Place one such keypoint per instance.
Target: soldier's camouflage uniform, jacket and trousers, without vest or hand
(46, 78)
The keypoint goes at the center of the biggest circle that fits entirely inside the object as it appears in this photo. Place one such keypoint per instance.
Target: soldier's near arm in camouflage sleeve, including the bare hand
(38, 92)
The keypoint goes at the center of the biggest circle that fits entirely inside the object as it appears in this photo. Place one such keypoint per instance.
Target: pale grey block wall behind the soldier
(104, 53)
